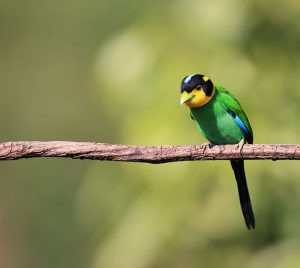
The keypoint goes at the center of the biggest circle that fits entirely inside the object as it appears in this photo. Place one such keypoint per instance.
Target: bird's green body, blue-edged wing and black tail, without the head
(223, 121)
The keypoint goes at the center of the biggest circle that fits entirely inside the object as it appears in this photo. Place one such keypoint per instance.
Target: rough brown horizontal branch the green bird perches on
(148, 154)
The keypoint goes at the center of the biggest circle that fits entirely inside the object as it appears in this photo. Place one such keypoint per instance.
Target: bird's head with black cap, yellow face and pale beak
(196, 90)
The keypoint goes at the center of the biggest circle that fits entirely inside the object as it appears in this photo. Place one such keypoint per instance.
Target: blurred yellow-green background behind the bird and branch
(109, 71)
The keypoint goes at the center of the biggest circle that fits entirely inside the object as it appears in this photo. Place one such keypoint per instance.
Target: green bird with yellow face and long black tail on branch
(221, 120)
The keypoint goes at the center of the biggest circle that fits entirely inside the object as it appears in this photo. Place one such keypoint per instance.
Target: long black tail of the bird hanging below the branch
(239, 172)
